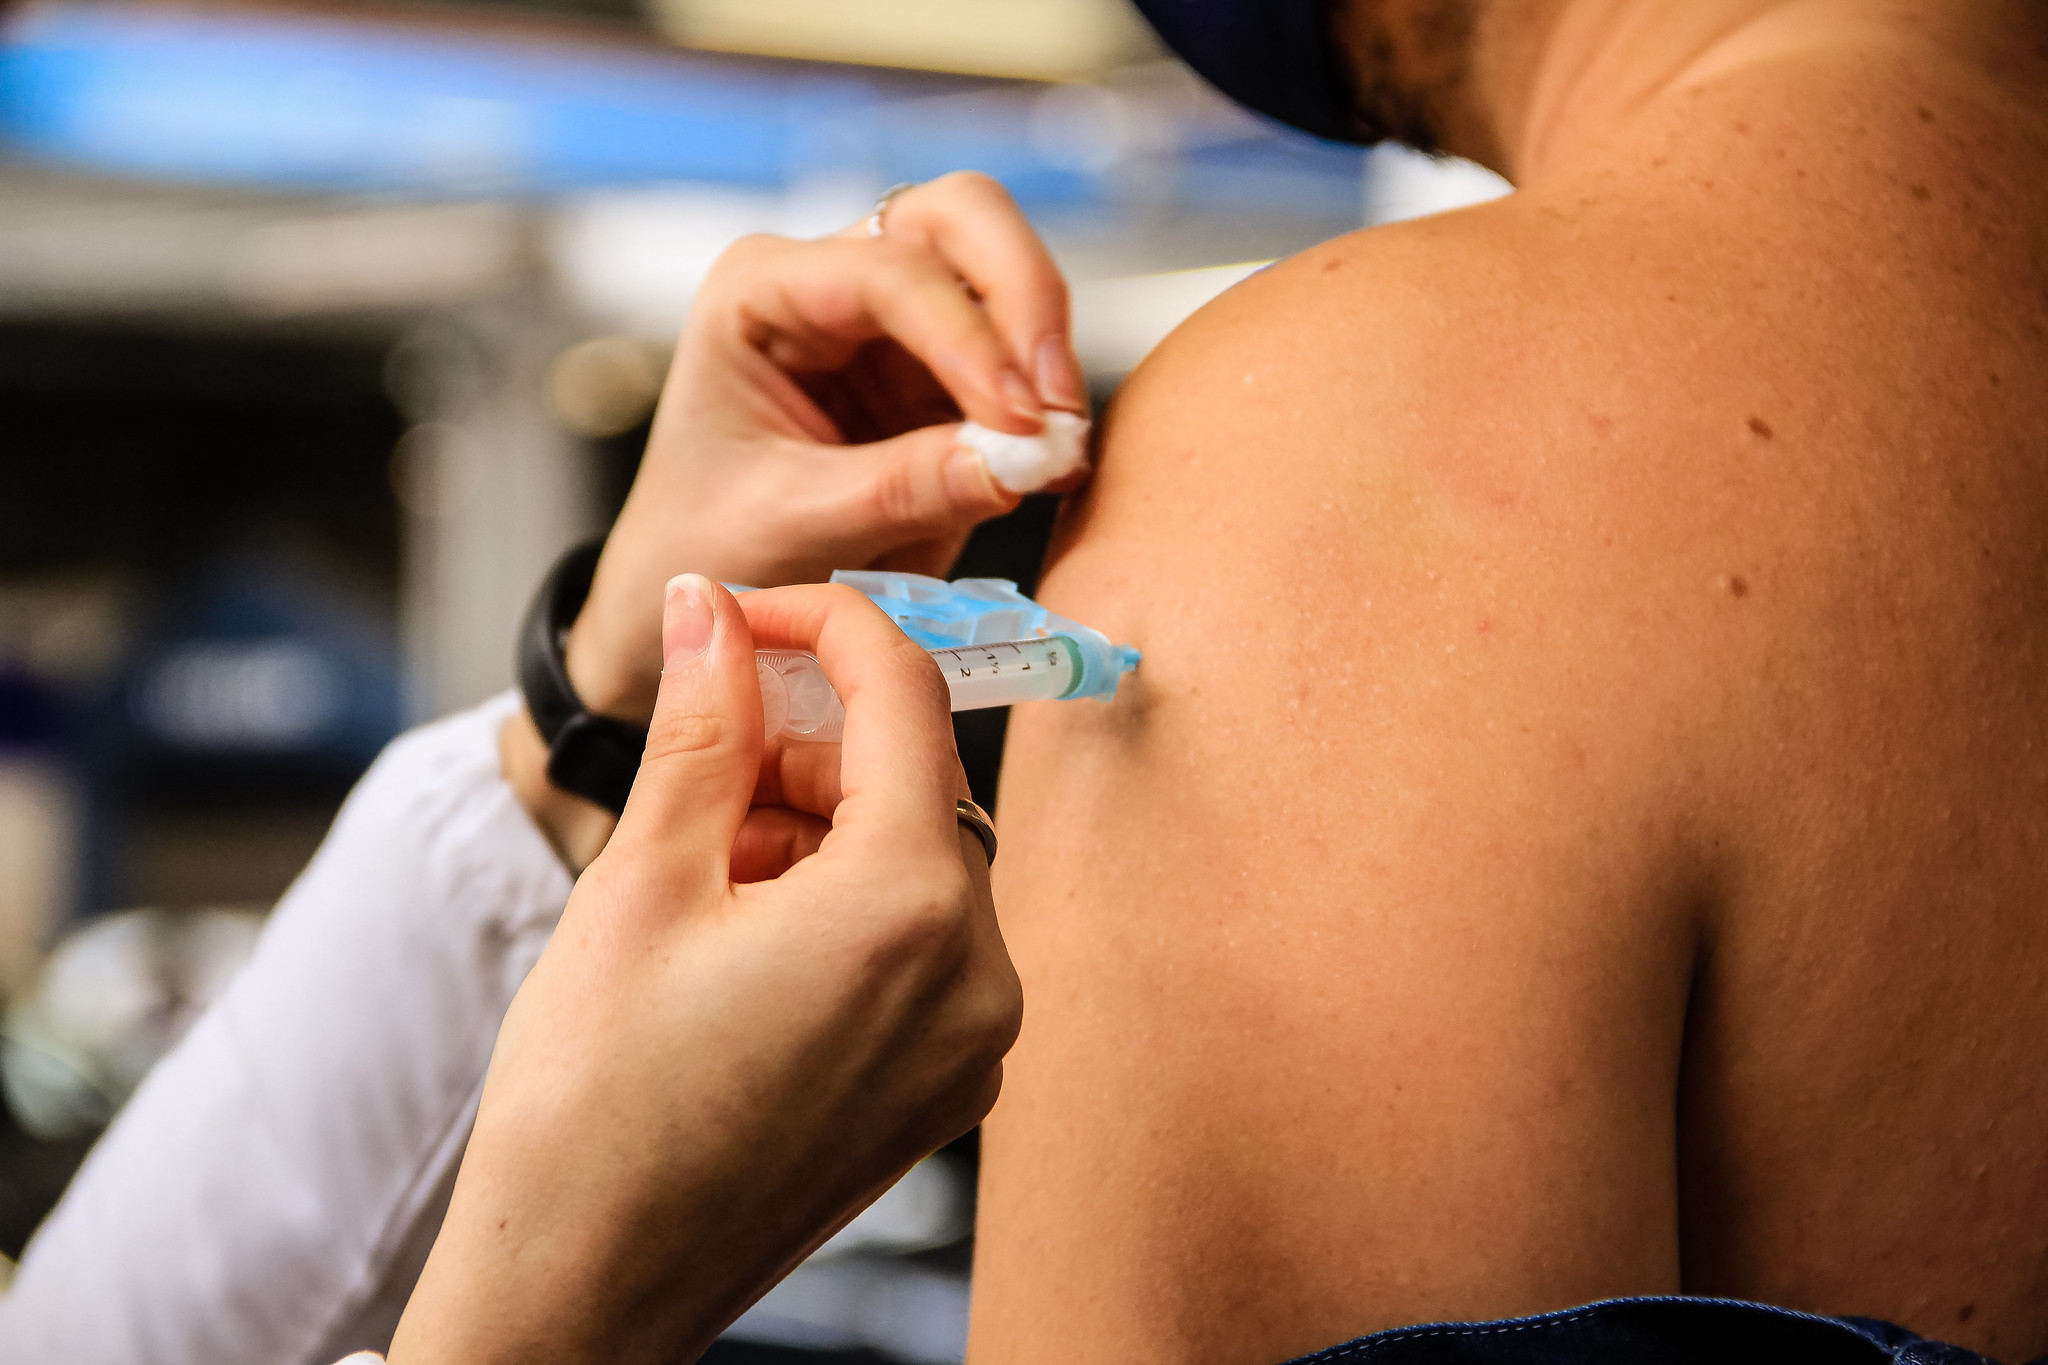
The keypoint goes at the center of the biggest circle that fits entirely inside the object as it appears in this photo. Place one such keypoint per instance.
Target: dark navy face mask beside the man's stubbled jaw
(1273, 56)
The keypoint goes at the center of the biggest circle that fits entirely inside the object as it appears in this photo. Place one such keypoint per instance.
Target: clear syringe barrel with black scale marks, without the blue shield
(800, 703)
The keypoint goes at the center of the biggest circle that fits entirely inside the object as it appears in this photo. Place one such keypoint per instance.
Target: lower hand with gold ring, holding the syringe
(703, 1080)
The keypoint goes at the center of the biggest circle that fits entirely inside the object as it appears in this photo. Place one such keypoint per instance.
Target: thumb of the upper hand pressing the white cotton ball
(919, 486)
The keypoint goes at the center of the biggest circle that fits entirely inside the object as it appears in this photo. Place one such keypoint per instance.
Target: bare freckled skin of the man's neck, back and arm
(1582, 822)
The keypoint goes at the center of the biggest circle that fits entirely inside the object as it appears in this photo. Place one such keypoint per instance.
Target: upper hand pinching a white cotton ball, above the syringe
(810, 416)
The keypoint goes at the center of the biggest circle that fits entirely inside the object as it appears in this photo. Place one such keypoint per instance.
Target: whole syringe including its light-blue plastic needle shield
(992, 644)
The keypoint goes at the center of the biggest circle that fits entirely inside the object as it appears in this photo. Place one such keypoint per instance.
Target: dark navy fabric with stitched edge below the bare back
(1652, 1331)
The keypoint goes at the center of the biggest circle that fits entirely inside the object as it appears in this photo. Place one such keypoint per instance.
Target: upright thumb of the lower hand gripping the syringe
(706, 740)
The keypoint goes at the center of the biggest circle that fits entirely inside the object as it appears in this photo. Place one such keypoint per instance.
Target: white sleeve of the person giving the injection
(269, 1194)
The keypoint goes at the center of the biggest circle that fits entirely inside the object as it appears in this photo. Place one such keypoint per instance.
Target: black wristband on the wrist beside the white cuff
(593, 756)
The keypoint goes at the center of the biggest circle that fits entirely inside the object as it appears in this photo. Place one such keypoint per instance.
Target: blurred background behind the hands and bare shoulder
(327, 326)
